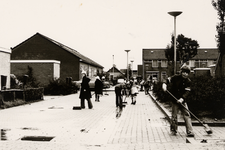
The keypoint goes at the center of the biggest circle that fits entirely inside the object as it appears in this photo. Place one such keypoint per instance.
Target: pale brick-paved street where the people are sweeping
(141, 126)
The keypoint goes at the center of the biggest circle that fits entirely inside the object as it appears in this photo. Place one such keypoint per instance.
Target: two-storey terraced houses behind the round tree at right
(155, 63)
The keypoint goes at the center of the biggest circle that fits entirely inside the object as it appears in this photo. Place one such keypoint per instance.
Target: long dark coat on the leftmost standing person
(85, 92)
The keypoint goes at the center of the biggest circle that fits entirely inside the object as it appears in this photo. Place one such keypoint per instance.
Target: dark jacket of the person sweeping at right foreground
(179, 86)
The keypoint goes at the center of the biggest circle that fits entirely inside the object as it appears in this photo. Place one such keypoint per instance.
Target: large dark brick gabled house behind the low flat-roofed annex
(72, 63)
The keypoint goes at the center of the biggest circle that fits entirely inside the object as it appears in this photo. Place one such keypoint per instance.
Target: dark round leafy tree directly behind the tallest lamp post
(186, 49)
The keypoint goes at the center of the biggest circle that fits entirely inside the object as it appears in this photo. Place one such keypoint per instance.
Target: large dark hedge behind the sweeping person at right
(207, 95)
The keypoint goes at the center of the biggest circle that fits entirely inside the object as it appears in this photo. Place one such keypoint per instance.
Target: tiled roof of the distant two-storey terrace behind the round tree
(159, 54)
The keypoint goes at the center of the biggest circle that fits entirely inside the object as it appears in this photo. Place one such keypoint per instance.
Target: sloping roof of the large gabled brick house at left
(74, 52)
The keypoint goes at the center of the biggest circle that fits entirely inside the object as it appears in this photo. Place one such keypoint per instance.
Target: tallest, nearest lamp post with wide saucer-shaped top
(175, 14)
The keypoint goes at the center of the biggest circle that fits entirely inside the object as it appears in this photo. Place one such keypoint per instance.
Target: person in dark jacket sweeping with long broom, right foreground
(179, 86)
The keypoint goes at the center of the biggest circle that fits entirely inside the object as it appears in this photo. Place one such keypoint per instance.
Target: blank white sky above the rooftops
(100, 29)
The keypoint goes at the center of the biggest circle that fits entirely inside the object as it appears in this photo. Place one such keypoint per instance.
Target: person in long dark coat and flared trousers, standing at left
(85, 92)
